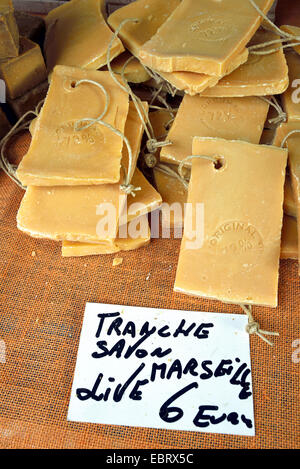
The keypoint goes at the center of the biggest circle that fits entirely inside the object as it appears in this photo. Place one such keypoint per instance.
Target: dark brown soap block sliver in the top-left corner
(9, 34)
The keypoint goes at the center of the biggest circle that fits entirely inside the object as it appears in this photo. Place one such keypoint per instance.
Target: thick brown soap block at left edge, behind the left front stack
(24, 72)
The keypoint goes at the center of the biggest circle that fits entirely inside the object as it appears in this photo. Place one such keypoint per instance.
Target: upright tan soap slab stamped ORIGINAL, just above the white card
(239, 258)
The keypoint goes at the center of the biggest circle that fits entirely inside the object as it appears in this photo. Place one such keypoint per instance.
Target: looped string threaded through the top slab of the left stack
(126, 187)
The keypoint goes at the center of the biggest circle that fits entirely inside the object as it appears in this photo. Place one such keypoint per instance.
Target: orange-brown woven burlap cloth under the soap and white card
(42, 299)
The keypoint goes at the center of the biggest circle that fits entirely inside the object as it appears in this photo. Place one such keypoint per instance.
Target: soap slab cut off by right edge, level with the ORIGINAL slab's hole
(293, 145)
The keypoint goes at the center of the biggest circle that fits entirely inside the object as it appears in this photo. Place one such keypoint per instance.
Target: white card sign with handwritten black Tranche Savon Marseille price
(157, 368)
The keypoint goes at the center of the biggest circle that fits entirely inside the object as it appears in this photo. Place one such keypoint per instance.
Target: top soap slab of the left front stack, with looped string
(60, 155)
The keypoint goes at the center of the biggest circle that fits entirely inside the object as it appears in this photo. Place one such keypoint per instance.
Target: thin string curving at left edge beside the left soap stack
(19, 126)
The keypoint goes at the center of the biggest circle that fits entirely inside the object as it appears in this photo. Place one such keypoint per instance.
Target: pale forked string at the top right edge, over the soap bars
(285, 37)
